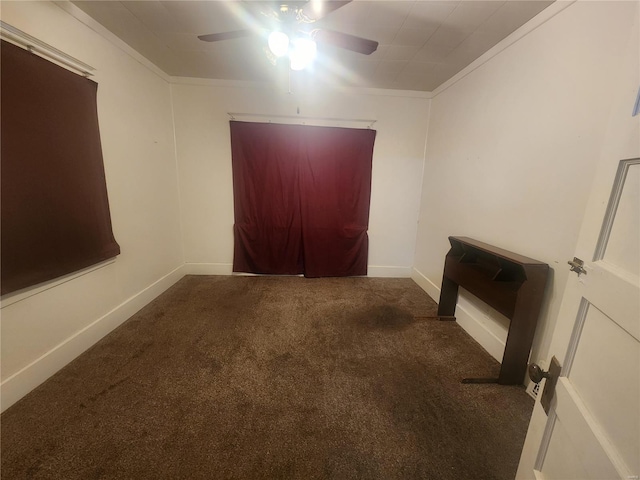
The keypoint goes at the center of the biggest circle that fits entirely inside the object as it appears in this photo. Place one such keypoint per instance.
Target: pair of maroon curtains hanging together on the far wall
(301, 198)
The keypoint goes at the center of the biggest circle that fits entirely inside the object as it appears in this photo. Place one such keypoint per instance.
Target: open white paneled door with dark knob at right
(593, 427)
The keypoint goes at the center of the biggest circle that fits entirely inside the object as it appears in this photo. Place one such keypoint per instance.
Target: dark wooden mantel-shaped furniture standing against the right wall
(512, 284)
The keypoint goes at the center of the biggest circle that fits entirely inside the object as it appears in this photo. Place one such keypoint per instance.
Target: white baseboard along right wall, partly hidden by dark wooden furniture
(466, 316)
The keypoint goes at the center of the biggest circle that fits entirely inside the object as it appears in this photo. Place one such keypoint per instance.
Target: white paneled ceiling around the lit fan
(423, 43)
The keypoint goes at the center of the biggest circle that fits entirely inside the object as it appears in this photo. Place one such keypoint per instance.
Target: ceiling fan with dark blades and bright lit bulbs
(288, 27)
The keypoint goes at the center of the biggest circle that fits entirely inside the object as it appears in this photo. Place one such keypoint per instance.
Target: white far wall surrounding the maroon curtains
(202, 133)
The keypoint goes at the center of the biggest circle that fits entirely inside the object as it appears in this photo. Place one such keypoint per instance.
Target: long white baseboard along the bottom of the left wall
(23, 381)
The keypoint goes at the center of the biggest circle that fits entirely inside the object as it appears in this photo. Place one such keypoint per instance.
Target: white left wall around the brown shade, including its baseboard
(45, 328)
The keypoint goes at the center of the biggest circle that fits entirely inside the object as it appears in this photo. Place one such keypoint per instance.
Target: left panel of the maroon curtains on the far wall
(266, 199)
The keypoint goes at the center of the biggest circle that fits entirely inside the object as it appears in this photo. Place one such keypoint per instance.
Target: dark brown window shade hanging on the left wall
(54, 206)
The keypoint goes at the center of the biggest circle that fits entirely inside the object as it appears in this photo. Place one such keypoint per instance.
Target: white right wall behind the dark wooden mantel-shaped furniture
(512, 149)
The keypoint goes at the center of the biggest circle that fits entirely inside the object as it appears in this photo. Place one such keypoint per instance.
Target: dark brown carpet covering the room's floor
(273, 377)
